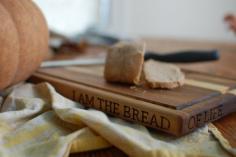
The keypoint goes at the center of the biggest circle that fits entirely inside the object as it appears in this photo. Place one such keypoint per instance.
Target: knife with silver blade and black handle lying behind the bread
(176, 57)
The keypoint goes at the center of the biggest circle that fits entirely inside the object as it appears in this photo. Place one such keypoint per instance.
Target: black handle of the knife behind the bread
(185, 56)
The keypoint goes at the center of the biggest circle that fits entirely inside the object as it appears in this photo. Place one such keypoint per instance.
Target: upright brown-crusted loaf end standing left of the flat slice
(124, 62)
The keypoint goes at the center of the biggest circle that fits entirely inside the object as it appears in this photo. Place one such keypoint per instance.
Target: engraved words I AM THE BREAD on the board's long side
(118, 109)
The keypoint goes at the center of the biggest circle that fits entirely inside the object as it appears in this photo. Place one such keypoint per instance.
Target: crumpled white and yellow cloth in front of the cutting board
(35, 121)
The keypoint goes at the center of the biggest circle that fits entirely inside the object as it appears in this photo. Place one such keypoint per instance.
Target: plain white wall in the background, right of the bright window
(189, 19)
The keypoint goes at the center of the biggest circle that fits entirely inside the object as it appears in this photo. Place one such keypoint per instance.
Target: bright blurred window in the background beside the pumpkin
(69, 16)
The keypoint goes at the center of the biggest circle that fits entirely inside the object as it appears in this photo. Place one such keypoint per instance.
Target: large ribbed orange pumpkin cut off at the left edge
(24, 39)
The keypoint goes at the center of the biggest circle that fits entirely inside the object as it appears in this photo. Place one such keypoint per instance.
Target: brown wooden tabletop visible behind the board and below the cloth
(225, 67)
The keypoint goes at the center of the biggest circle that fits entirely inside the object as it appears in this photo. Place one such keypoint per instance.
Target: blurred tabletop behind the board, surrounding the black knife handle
(223, 67)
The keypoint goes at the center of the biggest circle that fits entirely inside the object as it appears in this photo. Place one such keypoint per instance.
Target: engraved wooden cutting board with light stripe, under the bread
(204, 98)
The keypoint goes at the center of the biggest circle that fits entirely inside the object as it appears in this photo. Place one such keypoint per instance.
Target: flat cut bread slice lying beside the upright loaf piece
(163, 75)
